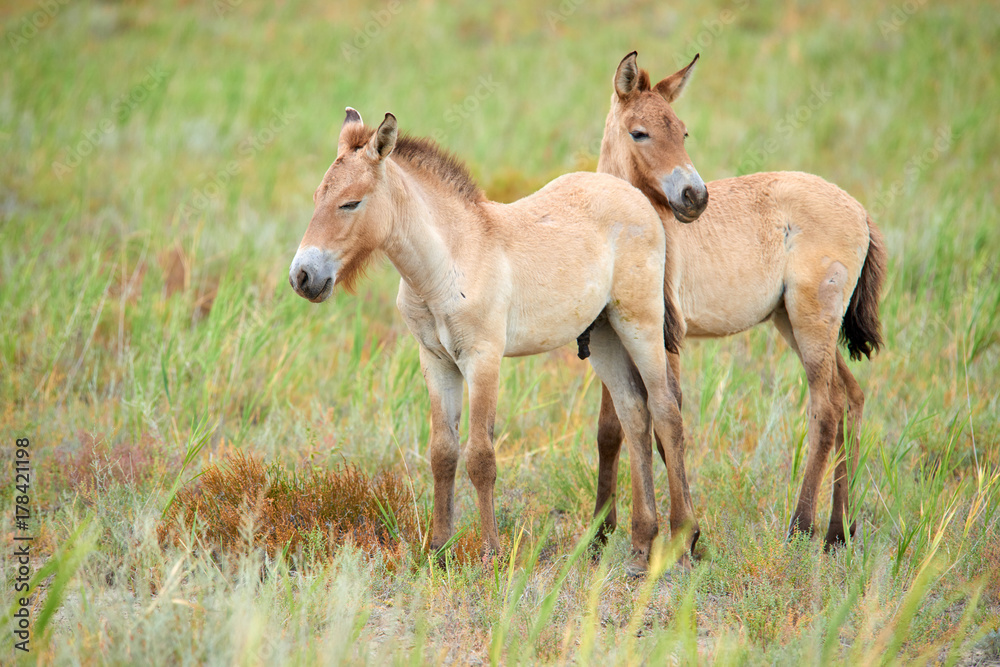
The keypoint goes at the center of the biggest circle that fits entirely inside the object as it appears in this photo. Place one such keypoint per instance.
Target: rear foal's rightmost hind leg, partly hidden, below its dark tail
(848, 451)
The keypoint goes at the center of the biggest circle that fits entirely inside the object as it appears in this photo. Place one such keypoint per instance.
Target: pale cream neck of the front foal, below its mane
(425, 224)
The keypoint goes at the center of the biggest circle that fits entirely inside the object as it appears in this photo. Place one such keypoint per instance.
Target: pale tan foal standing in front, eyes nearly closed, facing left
(483, 280)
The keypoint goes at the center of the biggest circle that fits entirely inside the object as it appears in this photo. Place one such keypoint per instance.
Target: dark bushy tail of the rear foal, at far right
(861, 330)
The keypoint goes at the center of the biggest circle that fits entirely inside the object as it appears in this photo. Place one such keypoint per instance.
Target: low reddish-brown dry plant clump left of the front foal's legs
(239, 505)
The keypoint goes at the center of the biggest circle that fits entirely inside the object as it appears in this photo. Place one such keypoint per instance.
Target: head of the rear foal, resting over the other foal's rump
(645, 137)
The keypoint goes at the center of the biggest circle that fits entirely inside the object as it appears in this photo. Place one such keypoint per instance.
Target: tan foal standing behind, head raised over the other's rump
(787, 247)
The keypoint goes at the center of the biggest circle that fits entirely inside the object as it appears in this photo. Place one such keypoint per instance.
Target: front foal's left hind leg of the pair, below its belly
(613, 366)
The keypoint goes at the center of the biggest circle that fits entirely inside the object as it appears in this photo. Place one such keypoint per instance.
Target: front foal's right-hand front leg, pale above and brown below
(482, 371)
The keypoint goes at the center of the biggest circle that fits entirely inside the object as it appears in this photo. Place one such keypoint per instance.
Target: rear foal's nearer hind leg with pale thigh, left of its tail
(814, 307)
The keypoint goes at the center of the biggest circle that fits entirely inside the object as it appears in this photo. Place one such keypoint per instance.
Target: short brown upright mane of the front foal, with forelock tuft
(423, 155)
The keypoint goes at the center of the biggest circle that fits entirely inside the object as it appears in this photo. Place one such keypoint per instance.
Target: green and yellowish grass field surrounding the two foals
(159, 165)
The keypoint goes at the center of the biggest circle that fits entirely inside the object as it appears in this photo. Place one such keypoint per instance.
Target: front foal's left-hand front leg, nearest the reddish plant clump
(444, 384)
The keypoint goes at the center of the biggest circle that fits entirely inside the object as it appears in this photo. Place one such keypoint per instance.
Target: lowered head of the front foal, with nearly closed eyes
(353, 211)
